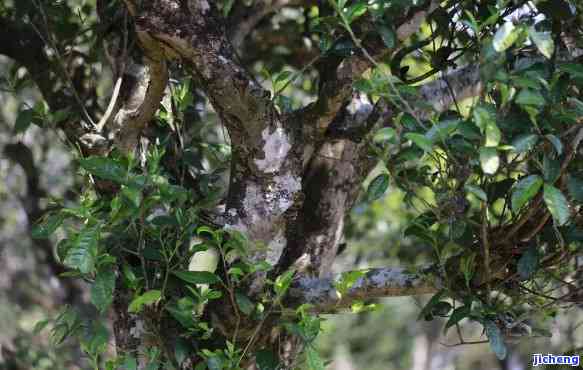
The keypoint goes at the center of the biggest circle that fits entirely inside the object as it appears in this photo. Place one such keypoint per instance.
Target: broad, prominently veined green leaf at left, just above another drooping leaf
(82, 252)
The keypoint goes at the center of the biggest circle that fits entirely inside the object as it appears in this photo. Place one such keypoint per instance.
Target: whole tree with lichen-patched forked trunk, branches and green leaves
(215, 248)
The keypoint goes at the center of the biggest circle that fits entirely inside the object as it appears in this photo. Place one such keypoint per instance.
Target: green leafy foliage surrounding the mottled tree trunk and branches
(496, 179)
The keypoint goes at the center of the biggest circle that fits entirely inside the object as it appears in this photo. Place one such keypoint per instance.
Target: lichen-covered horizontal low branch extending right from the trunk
(323, 294)
